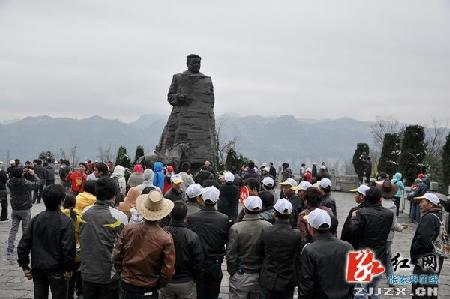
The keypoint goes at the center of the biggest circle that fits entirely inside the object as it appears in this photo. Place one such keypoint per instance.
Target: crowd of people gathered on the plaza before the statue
(162, 232)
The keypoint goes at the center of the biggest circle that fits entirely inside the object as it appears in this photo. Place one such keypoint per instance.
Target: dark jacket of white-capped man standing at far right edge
(426, 233)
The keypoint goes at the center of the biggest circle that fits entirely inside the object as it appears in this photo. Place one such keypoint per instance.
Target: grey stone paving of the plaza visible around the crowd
(14, 285)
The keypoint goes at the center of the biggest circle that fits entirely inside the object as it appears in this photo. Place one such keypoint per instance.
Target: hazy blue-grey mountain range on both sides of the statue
(283, 138)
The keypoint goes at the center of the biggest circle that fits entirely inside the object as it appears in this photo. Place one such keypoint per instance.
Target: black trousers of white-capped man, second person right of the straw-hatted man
(208, 285)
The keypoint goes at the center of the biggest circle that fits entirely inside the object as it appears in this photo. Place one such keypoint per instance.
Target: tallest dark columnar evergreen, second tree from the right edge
(412, 153)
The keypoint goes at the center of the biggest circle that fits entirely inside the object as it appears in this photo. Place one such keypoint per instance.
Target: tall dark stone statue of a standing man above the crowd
(190, 132)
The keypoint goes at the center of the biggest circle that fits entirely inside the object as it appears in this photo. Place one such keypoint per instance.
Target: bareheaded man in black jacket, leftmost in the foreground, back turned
(50, 239)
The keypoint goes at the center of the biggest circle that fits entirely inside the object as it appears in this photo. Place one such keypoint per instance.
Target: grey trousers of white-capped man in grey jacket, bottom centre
(245, 286)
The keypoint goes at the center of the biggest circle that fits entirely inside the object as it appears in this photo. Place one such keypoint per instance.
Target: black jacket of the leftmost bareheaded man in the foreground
(50, 238)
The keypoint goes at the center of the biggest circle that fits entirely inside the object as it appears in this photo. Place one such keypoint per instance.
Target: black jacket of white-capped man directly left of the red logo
(323, 264)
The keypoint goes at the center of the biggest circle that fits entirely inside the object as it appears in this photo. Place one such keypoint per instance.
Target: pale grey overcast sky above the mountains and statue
(312, 59)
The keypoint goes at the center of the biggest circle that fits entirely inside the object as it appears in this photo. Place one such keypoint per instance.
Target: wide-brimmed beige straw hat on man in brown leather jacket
(153, 206)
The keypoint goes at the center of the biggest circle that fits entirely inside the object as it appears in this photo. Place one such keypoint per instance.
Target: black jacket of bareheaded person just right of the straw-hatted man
(189, 254)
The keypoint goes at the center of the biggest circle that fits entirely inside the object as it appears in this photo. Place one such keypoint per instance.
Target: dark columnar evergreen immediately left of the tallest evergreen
(390, 154)
